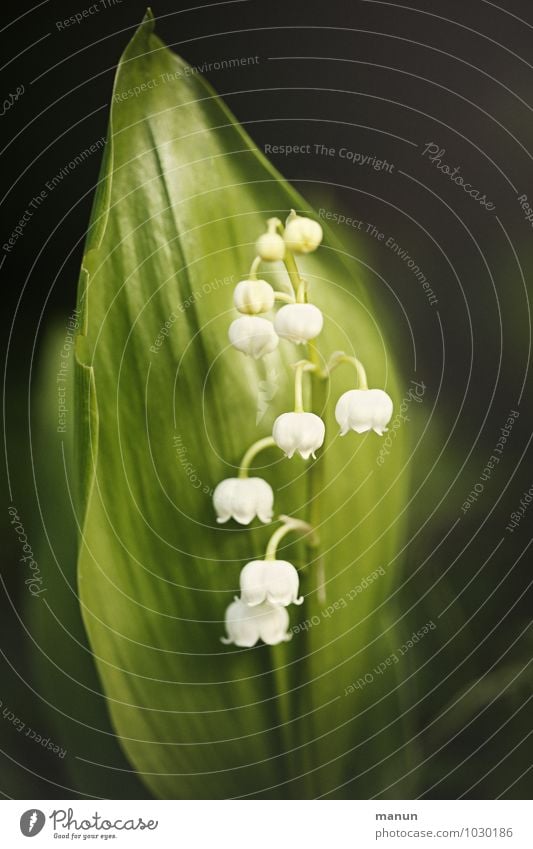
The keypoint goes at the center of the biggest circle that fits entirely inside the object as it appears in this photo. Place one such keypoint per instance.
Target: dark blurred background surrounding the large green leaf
(373, 79)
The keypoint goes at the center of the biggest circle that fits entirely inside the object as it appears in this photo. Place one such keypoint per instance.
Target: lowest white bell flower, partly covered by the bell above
(246, 625)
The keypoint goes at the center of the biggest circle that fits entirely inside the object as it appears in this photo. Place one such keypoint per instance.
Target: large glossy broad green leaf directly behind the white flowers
(166, 409)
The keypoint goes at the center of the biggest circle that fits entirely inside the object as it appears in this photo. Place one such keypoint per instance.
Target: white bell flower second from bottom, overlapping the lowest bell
(270, 580)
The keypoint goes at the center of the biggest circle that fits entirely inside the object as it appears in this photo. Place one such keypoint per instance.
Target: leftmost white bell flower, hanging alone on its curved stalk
(243, 499)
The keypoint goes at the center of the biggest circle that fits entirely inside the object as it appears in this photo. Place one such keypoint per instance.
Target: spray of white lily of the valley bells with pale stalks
(268, 586)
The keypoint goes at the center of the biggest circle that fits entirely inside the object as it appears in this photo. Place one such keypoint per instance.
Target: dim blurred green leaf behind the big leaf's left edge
(68, 705)
